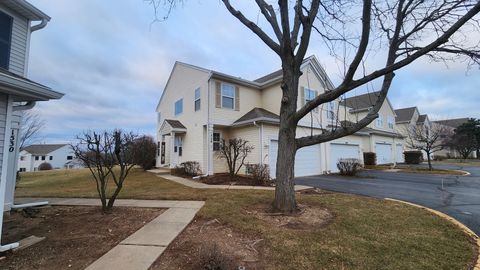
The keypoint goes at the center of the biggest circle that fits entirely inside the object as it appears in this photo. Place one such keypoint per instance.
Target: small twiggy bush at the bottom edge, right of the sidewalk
(212, 258)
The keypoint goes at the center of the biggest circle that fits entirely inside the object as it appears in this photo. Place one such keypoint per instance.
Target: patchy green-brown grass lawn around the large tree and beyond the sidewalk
(364, 234)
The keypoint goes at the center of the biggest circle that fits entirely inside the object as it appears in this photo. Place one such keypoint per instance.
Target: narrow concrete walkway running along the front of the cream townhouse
(199, 185)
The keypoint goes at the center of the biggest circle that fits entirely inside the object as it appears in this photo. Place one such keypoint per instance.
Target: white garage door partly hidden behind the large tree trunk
(307, 160)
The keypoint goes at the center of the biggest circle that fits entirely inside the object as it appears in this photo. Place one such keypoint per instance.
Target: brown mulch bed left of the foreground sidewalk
(76, 236)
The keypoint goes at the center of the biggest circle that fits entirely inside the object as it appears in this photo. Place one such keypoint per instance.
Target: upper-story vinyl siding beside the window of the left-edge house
(19, 46)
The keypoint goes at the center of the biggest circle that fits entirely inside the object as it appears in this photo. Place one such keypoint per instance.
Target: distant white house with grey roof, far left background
(60, 156)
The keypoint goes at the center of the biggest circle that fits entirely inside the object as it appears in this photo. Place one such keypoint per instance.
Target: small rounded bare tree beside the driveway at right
(429, 139)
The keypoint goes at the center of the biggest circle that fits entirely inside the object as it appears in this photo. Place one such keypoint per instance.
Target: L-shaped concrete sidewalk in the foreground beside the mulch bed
(142, 248)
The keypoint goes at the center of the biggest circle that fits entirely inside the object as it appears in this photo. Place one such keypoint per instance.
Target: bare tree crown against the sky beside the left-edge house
(30, 126)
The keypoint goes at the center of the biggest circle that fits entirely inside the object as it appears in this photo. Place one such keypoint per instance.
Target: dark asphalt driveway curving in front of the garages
(459, 196)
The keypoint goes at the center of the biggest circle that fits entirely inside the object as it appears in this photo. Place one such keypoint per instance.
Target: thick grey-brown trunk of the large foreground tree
(284, 190)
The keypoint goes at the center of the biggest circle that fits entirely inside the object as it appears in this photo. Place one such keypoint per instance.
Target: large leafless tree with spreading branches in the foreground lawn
(393, 32)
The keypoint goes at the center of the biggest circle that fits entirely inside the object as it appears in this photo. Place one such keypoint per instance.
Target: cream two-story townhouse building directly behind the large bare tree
(200, 107)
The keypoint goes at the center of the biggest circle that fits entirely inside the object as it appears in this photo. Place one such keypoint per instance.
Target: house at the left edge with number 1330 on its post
(18, 20)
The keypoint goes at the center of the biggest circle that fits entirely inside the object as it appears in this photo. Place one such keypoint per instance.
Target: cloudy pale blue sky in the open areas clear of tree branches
(112, 64)
